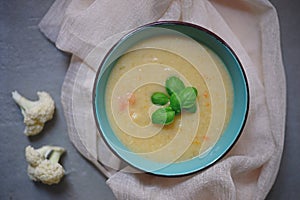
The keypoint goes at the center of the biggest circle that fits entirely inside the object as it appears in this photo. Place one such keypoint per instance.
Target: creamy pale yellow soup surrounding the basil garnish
(143, 70)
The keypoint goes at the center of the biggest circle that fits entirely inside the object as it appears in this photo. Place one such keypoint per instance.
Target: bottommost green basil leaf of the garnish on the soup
(163, 116)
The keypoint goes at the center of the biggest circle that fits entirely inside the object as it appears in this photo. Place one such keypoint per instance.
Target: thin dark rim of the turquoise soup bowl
(200, 28)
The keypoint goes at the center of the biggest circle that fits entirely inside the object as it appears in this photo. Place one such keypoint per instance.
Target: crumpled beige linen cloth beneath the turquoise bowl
(87, 29)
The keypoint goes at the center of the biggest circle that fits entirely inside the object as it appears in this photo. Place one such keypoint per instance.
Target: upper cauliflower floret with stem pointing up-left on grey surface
(35, 113)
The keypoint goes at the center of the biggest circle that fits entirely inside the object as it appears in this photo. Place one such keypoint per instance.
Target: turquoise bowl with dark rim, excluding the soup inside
(239, 112)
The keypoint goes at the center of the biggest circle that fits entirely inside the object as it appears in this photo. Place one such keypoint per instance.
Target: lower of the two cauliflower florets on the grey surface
(43, 164)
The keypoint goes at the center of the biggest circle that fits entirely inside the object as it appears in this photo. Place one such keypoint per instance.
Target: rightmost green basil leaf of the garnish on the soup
(187, 97)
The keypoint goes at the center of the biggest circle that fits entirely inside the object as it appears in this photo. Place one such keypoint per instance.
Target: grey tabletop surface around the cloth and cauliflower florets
(29, 62)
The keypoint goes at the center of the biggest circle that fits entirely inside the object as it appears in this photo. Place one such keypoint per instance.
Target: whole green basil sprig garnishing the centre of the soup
(181, 97)
